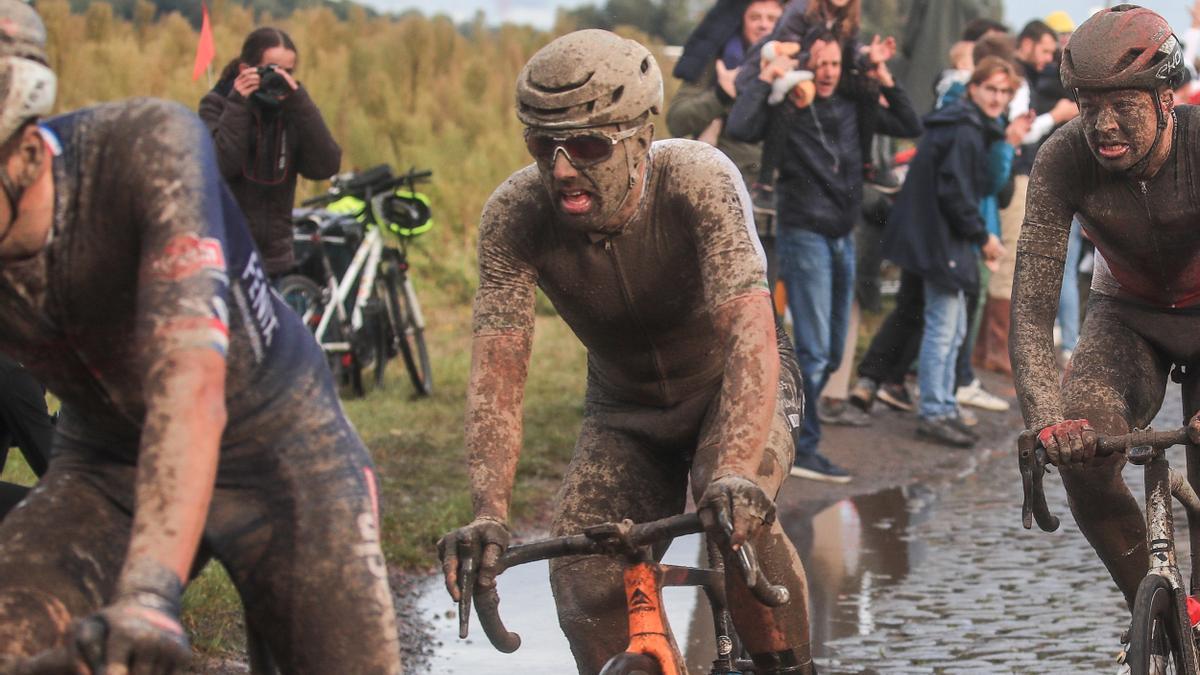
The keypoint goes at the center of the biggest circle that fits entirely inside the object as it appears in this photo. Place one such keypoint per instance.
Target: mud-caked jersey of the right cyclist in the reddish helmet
(1148, 231)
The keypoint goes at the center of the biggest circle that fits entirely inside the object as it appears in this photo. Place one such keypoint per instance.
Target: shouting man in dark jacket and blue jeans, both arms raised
(819, 195)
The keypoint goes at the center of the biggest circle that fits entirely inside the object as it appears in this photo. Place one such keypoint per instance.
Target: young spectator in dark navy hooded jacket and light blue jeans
(937, 230)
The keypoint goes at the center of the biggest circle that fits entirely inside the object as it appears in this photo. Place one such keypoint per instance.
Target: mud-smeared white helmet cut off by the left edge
(27, 83)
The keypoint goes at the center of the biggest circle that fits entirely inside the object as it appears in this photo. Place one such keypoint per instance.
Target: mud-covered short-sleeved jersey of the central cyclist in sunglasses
(643, 302)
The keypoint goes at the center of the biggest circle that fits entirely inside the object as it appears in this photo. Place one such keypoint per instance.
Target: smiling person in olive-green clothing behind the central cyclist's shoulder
(700, 107)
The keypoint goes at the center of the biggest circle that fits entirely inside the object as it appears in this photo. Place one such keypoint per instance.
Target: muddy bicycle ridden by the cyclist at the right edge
(1161, 634)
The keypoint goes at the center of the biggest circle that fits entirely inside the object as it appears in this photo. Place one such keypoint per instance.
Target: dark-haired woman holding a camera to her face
(267, 130)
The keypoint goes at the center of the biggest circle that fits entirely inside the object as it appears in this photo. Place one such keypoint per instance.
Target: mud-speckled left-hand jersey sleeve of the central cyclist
(505, 302)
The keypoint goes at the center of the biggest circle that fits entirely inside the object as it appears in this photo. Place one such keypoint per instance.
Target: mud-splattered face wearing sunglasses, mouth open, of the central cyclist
(595, 196)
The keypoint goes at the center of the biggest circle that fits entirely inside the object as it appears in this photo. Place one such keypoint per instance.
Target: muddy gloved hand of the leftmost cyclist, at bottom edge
(140, 634)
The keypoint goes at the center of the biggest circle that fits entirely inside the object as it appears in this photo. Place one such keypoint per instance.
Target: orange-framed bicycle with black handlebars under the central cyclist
(652, 650)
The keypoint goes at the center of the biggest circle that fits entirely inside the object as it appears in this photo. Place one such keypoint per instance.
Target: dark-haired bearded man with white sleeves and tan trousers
(1035, 53)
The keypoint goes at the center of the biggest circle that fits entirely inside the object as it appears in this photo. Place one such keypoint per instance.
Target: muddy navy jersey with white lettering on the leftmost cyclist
(148, 254)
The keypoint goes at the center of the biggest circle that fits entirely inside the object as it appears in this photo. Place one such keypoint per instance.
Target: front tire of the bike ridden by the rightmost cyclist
(1156, 637)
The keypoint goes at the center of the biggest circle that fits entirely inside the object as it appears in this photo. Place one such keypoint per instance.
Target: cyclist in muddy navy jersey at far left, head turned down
(196, 408)
